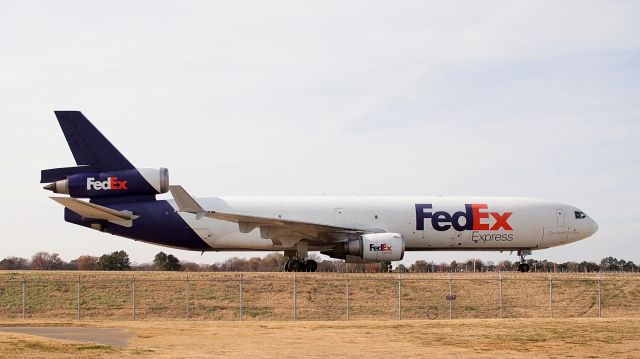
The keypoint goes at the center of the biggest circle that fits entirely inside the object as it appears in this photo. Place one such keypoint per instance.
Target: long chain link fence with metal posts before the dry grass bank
(314, 296)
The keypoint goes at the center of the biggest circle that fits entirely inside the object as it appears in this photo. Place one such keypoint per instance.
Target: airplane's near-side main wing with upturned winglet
(281, 231)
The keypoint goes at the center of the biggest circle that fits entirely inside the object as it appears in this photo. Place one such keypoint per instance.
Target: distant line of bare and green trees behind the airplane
(274, 262)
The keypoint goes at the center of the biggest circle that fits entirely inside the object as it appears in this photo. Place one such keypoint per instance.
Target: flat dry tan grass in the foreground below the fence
(555, 338)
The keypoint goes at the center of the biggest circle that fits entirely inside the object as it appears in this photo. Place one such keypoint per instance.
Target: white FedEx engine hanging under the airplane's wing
(373, 247)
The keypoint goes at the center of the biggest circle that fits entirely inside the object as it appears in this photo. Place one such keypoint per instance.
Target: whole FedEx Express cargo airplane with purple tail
(122, 201)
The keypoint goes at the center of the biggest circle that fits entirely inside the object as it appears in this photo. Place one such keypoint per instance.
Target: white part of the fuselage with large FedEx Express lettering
(451, 223)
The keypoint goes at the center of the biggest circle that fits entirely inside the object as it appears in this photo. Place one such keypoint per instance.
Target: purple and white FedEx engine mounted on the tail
(134, 182)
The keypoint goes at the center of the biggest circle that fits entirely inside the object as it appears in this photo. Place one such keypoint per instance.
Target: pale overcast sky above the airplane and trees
(506, 98)
